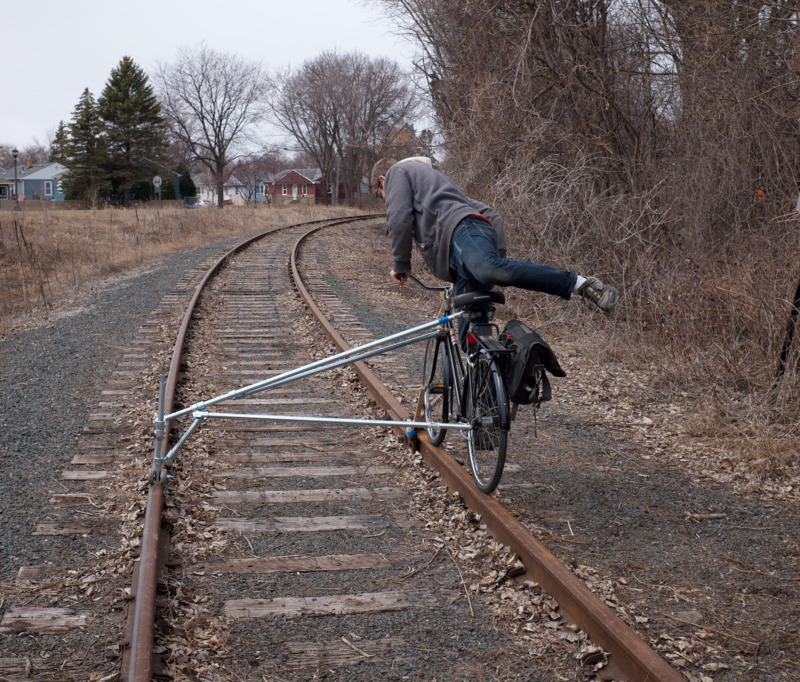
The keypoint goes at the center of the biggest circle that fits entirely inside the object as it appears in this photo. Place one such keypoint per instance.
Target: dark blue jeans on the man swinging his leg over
(478, 267)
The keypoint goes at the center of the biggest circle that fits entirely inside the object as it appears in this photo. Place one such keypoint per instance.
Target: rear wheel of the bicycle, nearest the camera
(487, 411)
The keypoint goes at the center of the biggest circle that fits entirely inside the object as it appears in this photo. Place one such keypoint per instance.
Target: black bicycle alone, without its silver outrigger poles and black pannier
(469, 385)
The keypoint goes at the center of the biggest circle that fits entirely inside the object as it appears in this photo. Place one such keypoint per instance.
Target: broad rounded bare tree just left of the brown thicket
(342, 109)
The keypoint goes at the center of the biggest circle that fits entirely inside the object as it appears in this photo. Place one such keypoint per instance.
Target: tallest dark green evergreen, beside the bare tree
(134, 125)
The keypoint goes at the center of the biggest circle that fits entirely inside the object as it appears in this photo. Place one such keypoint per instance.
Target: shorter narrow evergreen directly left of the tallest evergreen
(86, 158)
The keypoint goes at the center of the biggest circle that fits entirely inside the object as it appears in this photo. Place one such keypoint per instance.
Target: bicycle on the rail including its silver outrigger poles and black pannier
(469, 390)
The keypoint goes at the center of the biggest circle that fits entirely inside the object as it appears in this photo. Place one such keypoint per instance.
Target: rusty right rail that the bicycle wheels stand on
(631, 658)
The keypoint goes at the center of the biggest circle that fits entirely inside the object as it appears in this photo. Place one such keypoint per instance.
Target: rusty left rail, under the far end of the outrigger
(139, 658)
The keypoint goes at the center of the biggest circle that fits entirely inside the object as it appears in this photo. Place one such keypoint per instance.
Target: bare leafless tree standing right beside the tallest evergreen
(212, 101)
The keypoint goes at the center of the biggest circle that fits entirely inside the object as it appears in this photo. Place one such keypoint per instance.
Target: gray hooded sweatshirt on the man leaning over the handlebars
(423, 206)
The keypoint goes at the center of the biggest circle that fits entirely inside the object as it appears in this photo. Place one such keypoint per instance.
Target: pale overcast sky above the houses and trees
(54, 49)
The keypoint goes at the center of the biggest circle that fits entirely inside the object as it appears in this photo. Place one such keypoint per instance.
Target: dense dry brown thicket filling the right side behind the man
(629, 140)
